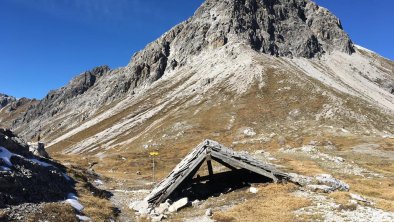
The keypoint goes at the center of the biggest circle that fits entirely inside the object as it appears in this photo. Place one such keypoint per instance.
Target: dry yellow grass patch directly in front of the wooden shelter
(272, 203)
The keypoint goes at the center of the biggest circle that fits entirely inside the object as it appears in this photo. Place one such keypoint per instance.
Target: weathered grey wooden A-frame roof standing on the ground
(206, 152)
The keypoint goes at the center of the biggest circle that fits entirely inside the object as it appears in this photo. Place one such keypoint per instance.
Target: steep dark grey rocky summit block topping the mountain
(298, 28)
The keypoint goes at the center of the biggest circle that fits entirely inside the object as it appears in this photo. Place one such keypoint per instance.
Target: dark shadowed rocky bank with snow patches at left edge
(25, 178)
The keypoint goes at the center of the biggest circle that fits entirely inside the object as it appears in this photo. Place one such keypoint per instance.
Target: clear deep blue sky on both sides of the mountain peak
(44, 43)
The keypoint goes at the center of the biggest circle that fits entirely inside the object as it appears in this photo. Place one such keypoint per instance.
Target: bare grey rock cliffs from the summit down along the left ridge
(270, 27)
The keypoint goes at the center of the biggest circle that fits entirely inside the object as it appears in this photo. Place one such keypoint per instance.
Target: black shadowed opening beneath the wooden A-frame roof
(201, 188)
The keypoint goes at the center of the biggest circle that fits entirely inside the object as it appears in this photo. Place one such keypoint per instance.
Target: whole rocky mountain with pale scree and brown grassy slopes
(277, 66)
